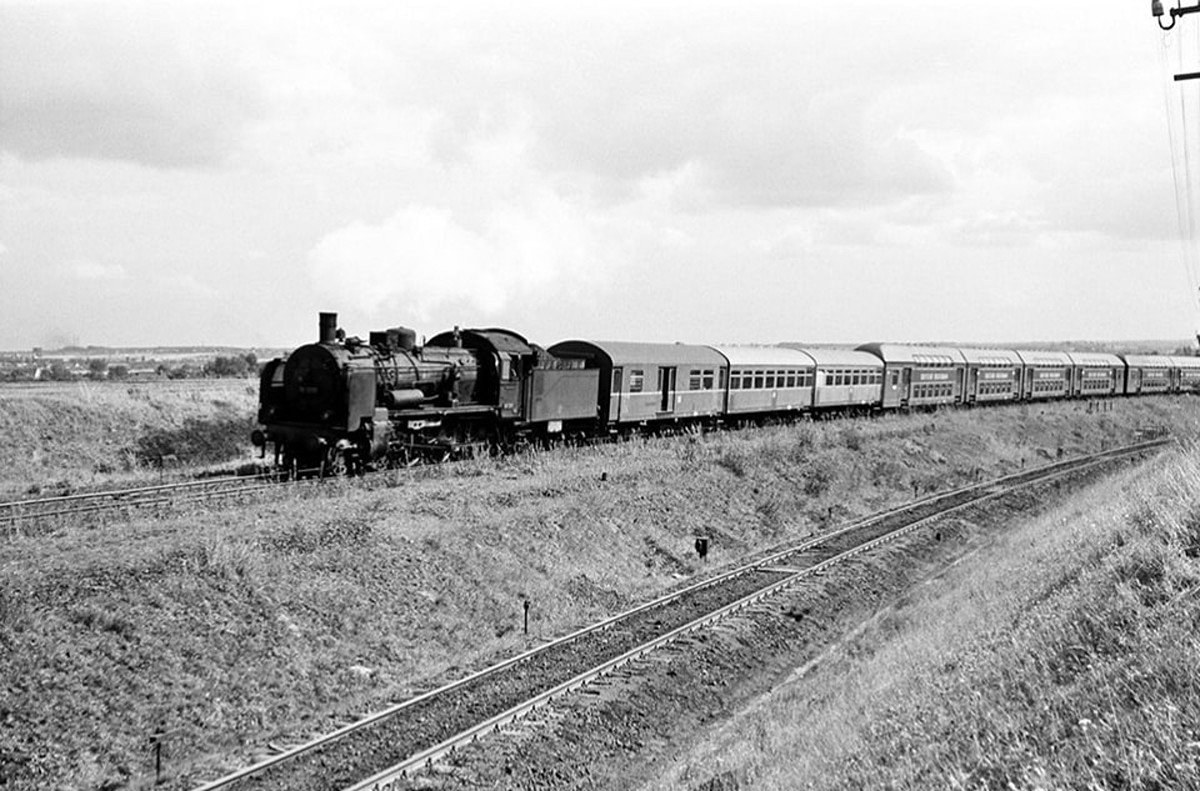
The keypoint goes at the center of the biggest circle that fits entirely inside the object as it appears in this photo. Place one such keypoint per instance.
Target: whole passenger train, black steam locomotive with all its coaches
(347, 405)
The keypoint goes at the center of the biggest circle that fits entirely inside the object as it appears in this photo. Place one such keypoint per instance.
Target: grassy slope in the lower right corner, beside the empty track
(1064, 656)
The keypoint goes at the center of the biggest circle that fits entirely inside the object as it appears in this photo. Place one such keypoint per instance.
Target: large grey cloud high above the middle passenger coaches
(751, 113)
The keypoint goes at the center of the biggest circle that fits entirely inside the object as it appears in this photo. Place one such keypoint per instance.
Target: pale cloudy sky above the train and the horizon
(755, 172)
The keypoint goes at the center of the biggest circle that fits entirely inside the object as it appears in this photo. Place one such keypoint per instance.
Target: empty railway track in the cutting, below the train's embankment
(379, 751)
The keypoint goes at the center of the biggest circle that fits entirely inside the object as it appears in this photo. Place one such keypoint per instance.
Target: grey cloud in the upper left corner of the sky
(133, 83)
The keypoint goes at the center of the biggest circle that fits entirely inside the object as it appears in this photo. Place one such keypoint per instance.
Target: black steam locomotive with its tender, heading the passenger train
(344, 405)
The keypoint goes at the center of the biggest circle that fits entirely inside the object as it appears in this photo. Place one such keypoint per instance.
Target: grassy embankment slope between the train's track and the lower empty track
(230, 626)
